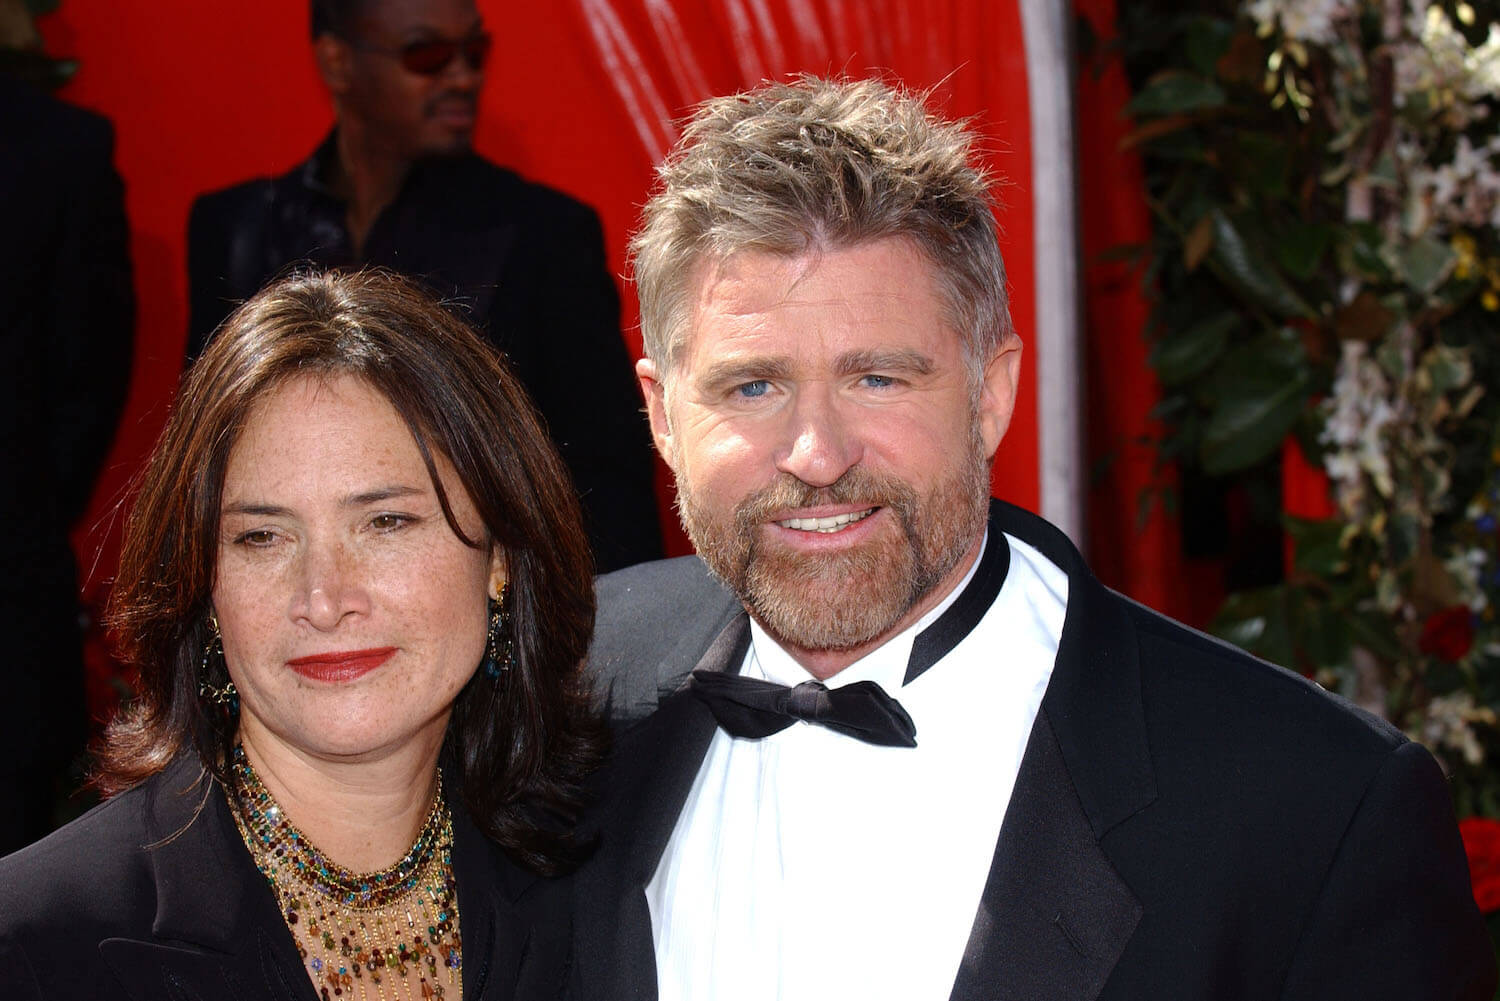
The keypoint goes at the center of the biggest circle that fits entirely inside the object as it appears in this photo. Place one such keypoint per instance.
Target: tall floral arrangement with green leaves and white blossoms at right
(1325, 178)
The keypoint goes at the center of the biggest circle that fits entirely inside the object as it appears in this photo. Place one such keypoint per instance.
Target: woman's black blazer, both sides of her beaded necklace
(154, 895)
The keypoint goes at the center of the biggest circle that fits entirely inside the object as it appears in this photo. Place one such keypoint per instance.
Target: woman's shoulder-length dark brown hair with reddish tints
(520, 747)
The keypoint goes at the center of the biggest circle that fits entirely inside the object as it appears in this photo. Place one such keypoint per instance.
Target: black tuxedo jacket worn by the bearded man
(1189, 822)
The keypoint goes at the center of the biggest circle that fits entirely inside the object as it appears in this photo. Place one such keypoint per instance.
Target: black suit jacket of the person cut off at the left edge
(67, 325)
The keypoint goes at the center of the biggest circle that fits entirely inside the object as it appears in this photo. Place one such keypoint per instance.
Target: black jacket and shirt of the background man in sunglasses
(526, 265)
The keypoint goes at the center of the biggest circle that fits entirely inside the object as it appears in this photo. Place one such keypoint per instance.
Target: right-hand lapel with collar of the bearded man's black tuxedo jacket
(1055, 916)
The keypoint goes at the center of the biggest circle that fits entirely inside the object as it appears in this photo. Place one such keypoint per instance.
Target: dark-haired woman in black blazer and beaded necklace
(358, 594)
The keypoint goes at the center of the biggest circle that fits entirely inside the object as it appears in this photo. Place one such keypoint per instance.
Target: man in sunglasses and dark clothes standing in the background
(397, 184)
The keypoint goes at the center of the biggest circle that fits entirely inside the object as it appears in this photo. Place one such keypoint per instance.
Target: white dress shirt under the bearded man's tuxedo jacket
(812, 867)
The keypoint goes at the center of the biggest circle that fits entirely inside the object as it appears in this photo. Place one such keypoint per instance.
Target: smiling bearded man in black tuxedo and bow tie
(887, 739)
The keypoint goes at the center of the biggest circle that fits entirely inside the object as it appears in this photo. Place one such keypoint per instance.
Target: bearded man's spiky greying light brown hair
(818, 166)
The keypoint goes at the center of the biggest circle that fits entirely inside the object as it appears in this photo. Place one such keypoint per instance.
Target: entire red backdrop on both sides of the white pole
(583, 95)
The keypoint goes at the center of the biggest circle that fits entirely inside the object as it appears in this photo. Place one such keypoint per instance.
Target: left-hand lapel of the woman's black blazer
(217, 933)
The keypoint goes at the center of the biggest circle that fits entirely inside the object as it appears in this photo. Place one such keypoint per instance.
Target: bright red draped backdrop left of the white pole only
(578, 92)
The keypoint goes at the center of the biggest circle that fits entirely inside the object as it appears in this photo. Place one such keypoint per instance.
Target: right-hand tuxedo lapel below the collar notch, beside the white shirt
(1055, 916)
